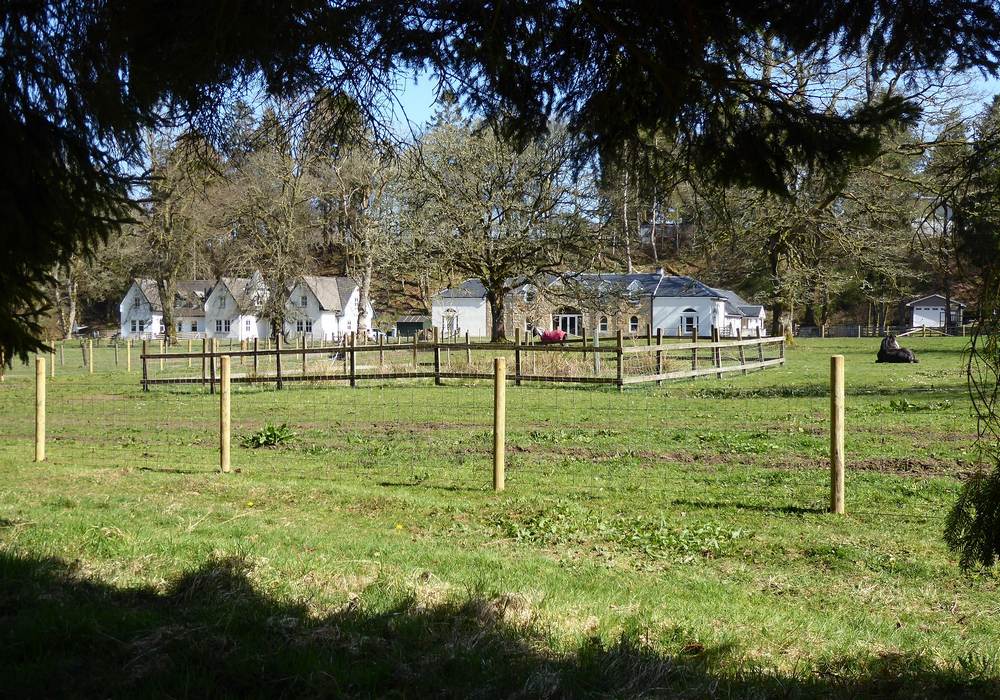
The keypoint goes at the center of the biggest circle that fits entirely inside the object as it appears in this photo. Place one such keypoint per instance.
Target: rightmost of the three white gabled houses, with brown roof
(323, 308)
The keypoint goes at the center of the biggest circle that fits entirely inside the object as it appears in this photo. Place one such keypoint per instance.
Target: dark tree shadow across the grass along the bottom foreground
(211, 633)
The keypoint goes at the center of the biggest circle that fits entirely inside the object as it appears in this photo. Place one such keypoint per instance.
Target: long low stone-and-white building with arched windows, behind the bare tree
(675, 305)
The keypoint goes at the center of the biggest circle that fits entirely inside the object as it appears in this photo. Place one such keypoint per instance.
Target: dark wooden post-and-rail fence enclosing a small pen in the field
(617, 361)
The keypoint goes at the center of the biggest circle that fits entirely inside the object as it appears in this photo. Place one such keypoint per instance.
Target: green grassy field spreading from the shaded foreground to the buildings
(661, 541)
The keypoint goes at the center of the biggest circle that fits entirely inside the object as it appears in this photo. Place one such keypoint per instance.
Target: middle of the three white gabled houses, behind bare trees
(232, 310)
